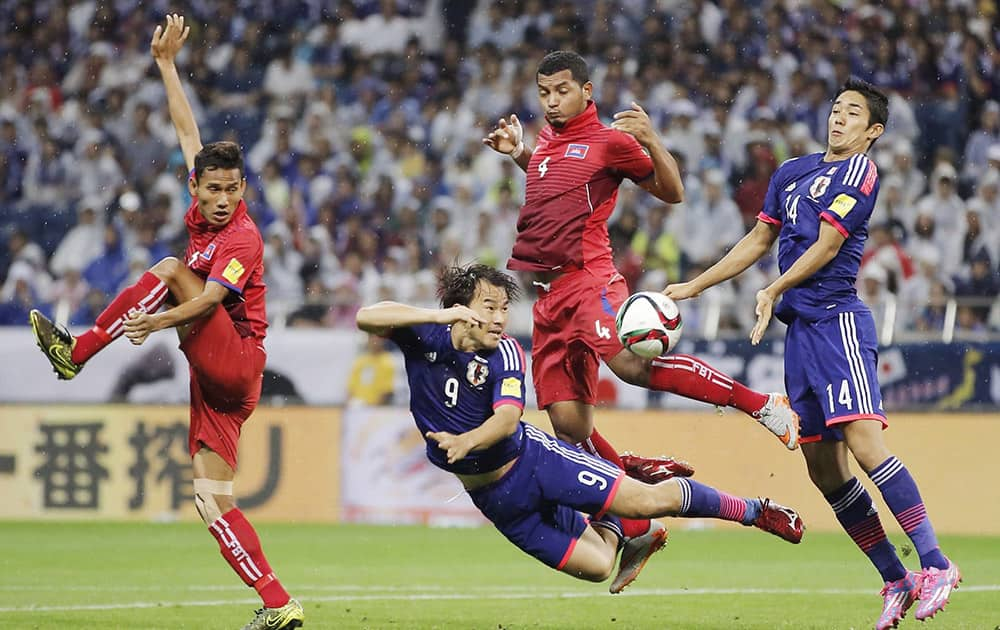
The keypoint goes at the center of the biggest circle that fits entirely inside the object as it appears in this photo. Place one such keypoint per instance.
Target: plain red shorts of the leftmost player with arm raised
(226, 376)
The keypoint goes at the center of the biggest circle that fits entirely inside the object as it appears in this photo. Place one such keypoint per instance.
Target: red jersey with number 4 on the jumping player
(572, 186)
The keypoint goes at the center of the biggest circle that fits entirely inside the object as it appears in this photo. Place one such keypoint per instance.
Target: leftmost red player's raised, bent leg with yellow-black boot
(67, 354)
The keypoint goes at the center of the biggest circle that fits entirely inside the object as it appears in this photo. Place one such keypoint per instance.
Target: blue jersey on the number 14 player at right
(803, 192)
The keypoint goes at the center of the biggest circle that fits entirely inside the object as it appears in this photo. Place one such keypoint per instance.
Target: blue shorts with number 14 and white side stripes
(831, 374)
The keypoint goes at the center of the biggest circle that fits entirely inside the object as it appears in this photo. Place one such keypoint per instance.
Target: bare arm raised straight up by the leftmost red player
(166, 43)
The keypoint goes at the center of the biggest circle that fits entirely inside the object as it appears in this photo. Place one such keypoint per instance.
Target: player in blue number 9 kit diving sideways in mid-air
(554, 501)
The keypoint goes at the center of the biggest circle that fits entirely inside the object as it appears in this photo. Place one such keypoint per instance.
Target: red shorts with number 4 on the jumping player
(574, 321)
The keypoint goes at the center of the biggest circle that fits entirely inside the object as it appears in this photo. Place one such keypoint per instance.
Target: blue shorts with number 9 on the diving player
(537, 504)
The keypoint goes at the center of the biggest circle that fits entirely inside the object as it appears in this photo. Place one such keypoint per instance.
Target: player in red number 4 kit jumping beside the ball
(573, 176)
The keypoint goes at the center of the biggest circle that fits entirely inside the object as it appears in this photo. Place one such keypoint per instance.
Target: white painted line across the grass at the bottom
(484, 593)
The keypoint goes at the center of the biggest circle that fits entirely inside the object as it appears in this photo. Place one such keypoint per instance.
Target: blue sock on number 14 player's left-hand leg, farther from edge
(857, 515)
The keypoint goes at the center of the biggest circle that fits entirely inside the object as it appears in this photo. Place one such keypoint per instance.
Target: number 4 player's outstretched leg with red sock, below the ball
(692, 378)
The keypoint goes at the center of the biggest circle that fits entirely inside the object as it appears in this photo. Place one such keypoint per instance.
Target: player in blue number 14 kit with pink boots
(818, 207)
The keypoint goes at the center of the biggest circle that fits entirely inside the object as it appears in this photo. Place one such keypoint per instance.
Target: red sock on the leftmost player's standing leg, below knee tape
(240, 547)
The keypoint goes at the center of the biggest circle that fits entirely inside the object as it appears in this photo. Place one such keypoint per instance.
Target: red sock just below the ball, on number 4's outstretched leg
(693, 378)
